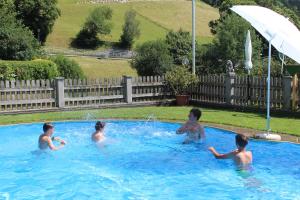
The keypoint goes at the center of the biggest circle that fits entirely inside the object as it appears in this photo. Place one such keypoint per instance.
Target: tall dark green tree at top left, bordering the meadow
(38, 15)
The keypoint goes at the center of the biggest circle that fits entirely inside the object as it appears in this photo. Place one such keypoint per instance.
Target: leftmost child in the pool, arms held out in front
(45, 139)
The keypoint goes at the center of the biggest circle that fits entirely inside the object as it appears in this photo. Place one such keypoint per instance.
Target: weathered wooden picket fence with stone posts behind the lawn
(228, 90)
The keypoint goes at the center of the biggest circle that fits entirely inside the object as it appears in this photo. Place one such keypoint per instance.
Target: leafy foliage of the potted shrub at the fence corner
(179, 78)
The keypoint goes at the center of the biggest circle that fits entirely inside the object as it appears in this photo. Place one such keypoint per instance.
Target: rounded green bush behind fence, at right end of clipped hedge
(67, 68)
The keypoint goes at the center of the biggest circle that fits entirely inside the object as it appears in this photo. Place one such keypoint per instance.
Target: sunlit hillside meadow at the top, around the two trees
(156, 18)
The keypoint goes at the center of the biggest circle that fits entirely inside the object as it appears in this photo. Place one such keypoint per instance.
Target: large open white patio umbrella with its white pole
(278, 30)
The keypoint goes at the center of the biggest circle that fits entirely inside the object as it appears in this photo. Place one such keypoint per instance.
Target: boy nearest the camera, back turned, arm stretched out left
(241, 157)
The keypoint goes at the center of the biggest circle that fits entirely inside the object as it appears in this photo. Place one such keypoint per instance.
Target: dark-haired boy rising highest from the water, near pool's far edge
(192, 127)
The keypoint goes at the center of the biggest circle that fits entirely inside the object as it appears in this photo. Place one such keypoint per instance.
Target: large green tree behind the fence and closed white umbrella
(228, 45)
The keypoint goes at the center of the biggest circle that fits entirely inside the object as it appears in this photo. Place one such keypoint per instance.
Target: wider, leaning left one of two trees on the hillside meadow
(98, 22)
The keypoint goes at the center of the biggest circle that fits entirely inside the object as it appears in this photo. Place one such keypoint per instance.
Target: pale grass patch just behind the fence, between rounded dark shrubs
(96, 68)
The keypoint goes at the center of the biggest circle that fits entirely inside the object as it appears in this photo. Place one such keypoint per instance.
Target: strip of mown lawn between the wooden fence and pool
(239, 119)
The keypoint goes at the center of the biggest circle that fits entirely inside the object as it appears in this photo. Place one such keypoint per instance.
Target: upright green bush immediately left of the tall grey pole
(179, 45)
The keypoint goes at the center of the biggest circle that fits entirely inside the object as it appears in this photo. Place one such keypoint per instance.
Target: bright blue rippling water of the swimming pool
(141, 160)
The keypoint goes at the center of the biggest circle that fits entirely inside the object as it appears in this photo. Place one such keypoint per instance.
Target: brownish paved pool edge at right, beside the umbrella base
(251, 132)
